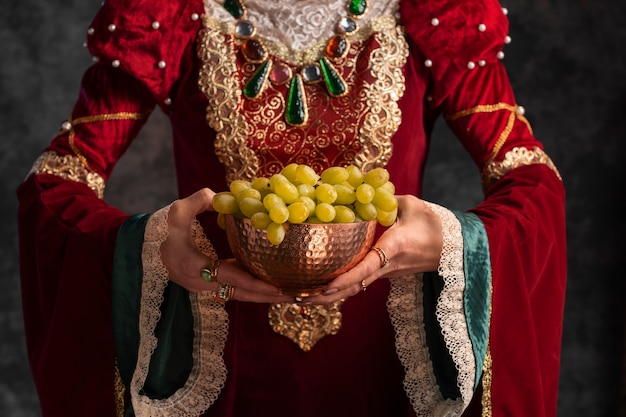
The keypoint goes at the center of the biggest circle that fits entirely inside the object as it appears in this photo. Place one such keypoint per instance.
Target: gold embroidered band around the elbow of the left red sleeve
(68, 167)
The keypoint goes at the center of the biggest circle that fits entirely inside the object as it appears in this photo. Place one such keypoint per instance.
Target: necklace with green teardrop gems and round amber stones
(254, 52)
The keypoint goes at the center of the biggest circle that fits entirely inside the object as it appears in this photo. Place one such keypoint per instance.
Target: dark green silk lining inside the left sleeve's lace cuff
(172, 360)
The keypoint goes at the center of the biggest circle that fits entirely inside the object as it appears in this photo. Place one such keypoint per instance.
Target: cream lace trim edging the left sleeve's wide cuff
(210, 328)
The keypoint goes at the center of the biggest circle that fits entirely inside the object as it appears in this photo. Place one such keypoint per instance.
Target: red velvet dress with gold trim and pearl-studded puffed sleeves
(68, 234)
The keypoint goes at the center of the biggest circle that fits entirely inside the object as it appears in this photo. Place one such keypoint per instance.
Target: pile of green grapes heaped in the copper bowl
(299, 195)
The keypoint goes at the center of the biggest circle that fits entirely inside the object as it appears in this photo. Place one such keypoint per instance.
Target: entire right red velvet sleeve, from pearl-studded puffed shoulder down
(523, 211)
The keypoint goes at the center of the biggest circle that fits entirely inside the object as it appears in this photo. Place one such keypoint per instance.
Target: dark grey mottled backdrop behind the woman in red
(567, 63)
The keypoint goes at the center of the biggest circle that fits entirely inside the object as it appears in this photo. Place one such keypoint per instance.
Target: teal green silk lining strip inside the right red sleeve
(477, 297)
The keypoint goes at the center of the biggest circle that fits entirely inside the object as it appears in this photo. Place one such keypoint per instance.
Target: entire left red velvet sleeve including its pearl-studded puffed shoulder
(67, 233)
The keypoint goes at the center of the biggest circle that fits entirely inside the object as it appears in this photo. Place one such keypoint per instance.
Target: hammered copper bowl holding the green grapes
(310, 256)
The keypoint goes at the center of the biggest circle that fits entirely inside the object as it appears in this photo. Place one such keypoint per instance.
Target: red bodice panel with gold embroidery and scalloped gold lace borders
(253, 138)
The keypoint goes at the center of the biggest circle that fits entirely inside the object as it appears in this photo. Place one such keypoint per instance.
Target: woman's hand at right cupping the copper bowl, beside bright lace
(412, 244)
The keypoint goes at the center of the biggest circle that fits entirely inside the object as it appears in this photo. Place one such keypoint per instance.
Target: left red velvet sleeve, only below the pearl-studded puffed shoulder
(67, 237)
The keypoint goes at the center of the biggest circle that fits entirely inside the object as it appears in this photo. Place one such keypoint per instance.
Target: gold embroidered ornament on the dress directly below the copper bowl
(305, 326)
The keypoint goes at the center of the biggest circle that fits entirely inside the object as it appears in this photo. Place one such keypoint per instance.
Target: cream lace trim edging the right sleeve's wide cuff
(406, 310)
